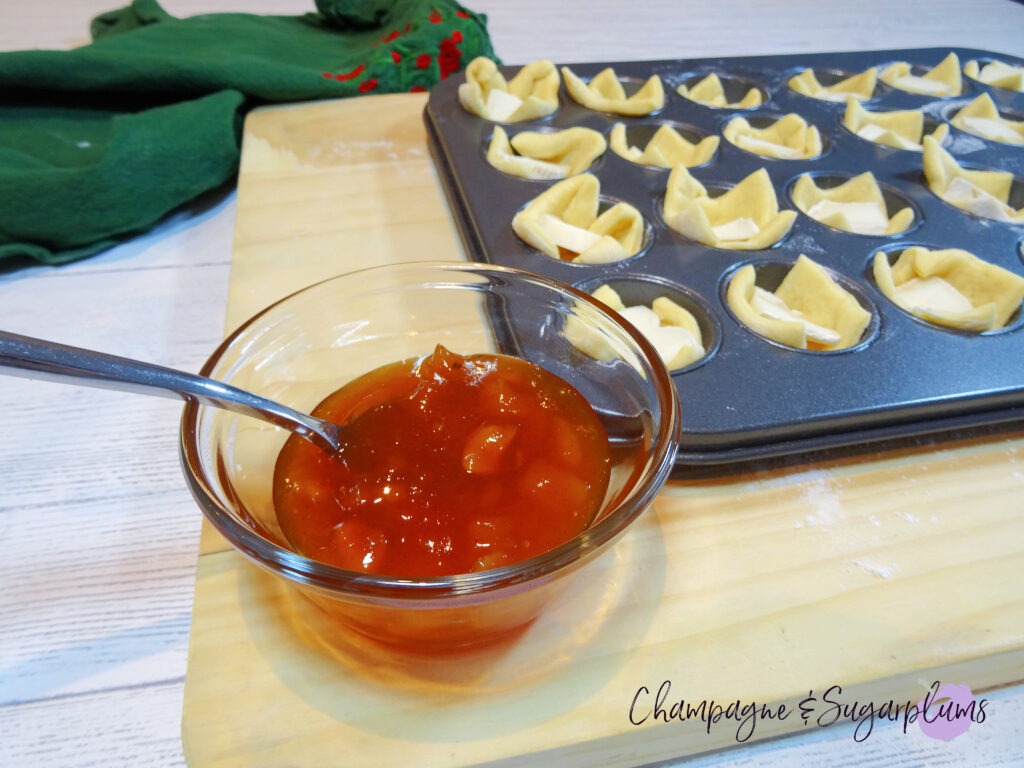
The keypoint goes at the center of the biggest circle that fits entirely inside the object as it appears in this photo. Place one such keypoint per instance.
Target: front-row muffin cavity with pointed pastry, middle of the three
(801, 306)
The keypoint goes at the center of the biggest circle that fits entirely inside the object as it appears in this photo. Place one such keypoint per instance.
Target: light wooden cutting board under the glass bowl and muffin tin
(880, 573)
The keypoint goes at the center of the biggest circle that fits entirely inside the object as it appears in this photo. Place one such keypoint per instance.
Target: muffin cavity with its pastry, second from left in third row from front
(663, 144)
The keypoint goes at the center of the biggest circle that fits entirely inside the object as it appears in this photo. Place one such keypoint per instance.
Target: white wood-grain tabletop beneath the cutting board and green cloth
(99, 534)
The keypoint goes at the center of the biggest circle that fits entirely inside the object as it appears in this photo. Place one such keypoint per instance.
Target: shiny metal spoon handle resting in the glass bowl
(35, 359)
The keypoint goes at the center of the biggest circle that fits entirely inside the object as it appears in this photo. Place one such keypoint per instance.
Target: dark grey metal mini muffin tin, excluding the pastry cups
(751, 398)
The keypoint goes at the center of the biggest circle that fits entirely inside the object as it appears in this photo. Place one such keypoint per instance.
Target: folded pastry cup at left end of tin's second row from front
(566, 224)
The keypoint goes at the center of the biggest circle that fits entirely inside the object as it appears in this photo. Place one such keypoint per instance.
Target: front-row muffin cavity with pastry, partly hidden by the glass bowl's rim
(677, 322)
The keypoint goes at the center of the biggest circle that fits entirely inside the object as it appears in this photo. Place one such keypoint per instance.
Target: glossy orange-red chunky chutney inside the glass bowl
(450, 464)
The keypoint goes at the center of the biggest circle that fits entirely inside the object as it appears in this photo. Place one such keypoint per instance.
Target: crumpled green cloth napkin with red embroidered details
(100, 143)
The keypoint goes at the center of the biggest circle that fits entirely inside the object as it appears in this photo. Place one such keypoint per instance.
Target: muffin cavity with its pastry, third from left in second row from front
(857, 204)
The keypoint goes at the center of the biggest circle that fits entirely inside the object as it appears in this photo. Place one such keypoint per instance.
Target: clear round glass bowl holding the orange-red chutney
(311, 344)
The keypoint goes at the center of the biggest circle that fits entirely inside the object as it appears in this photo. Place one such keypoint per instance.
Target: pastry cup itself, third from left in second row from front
(856, 206)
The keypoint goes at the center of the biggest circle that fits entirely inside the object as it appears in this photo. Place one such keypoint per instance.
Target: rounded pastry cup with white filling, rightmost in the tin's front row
(951, 287)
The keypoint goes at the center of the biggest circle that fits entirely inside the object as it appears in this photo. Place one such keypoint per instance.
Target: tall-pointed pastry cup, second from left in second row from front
(745, 218)
